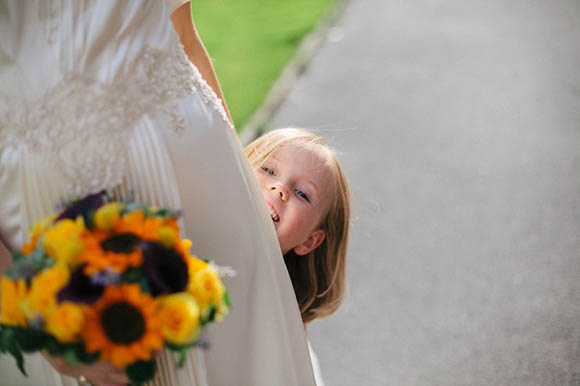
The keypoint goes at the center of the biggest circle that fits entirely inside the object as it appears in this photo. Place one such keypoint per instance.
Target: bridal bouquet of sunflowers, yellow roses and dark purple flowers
(106, 280)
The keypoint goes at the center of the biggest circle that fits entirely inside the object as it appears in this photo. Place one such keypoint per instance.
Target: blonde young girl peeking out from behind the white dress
(309, 201)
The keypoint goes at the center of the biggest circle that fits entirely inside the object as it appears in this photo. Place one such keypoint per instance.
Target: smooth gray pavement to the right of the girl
(458, 123)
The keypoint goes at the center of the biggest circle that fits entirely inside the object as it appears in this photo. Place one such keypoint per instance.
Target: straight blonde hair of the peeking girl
(318, 277)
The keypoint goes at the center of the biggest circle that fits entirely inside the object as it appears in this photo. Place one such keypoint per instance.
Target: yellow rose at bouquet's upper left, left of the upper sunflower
(63, 241)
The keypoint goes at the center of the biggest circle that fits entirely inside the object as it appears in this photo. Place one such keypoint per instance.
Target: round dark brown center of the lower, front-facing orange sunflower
(123, 323)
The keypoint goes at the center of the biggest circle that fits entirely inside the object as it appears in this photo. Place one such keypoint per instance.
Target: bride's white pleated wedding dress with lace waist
(99, 94)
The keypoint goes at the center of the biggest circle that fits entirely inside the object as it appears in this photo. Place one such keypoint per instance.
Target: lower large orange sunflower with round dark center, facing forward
(123, 326)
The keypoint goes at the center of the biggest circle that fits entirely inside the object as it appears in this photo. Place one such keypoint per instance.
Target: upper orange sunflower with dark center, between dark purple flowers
(103, 250)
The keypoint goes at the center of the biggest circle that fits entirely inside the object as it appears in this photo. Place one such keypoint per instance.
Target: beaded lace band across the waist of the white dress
(81, 125)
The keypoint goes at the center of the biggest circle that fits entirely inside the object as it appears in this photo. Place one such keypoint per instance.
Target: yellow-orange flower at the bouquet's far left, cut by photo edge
(12, 296)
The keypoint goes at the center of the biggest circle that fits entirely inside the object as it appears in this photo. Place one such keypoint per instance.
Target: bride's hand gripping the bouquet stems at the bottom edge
(98, 374)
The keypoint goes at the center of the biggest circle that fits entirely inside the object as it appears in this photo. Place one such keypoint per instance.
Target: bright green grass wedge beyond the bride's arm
(251, 41)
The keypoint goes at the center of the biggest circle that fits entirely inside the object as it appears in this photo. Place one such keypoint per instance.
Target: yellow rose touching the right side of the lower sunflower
(178, 318)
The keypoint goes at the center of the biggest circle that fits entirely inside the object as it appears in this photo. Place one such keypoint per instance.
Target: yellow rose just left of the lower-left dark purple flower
(45, 286)
